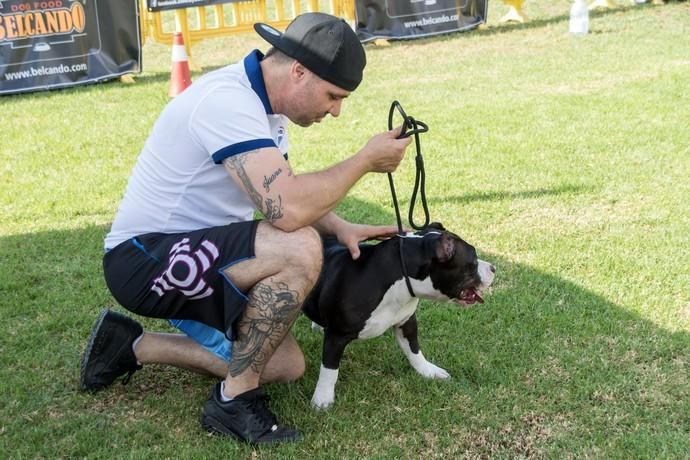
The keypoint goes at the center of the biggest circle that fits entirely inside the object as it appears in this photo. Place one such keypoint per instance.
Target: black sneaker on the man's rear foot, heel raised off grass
(108, 353)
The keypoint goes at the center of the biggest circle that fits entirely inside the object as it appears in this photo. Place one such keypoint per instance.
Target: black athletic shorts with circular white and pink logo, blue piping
(180, 275)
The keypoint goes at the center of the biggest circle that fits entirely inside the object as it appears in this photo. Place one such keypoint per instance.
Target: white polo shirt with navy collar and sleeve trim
(178, 183)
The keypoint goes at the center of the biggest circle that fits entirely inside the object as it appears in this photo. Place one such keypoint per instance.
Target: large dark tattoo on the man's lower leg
(272, 309)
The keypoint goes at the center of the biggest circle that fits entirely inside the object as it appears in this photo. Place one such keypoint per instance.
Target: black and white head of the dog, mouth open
(451, 269)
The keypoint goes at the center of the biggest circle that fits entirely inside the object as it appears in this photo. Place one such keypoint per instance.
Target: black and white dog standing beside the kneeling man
(361, 299)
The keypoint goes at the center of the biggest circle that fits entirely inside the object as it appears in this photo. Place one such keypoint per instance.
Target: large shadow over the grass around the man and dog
(544, 360)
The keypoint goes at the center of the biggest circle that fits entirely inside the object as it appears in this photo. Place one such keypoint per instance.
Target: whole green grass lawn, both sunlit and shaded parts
(565, 161)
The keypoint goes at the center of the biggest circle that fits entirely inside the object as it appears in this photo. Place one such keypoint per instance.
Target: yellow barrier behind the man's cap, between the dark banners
(202, 22)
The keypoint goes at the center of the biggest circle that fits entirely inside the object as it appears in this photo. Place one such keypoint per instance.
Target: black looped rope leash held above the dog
(410, 127)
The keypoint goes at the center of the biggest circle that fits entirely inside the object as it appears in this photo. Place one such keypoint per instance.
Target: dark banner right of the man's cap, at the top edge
(402, 19)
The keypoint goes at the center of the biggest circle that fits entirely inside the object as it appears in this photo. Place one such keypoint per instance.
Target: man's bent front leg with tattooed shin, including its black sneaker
(278, 279)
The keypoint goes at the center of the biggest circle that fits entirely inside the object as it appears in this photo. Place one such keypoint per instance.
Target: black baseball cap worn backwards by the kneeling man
(322, 43)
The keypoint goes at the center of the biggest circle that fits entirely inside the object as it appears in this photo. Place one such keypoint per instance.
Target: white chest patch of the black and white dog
(395, 308)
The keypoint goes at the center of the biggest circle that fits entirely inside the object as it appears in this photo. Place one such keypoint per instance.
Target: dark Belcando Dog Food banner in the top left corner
(60, 43)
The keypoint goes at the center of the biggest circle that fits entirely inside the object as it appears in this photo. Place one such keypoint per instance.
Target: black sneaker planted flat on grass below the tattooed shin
(246, 417)
